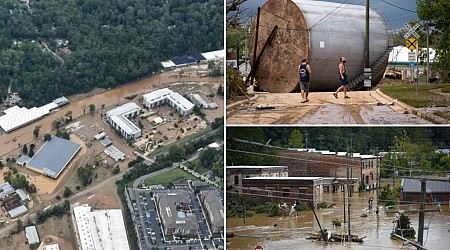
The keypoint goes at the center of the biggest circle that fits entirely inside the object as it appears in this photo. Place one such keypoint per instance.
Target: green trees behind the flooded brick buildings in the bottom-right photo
(418, 142)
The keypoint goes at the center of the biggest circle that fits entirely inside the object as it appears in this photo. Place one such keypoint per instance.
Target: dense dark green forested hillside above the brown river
(51, 48)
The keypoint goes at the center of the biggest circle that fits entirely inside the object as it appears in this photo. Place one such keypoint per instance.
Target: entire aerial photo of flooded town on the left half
(111, 125)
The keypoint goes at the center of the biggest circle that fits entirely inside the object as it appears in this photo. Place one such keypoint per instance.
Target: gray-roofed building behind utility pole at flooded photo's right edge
(437, 191)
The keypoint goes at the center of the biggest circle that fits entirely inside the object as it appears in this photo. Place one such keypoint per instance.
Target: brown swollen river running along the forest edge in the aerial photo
(24, 135)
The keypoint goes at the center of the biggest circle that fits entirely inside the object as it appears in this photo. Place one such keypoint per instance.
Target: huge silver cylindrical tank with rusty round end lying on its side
(319, 31)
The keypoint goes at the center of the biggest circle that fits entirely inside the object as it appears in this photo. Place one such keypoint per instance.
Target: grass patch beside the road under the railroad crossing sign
(406, 92)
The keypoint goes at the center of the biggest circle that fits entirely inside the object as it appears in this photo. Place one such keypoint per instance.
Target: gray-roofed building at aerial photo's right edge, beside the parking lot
(211, 201)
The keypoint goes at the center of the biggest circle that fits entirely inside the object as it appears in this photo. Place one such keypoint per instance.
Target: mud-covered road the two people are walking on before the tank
(364, 107)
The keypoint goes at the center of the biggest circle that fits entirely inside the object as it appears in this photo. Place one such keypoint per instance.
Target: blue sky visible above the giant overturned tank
(397, 17)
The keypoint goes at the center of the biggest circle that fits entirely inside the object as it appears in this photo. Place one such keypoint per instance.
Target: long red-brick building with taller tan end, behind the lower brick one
(309, 162)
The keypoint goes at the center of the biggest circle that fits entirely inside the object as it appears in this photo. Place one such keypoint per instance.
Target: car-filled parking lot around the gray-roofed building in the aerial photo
(150, 230)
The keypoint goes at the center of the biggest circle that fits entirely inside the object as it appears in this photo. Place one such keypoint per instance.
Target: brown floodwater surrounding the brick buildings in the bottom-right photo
(291, 232)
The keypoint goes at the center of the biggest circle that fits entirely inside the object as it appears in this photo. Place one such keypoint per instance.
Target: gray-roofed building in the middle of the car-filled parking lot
(173, 208)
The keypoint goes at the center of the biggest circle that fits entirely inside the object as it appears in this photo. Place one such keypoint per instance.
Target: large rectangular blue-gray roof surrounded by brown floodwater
(54, 156)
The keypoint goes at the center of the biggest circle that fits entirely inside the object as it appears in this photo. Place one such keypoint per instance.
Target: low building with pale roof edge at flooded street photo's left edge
(235, 174)
